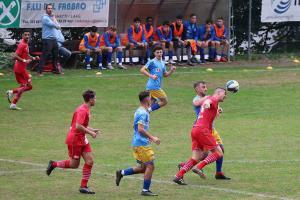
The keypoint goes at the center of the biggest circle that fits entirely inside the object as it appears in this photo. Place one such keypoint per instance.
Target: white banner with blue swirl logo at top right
(280, 10)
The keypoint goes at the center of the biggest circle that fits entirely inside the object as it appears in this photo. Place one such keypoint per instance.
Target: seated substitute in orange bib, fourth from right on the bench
(177, 30)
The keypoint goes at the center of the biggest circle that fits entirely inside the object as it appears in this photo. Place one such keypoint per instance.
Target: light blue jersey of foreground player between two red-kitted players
(141, 116)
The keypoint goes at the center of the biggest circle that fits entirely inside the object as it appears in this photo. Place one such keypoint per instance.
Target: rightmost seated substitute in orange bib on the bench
(221, 40)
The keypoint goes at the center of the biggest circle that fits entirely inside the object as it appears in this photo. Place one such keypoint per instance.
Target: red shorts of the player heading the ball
(203, 139)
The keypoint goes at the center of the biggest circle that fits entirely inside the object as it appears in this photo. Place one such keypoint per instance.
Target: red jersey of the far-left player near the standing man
(23, 52)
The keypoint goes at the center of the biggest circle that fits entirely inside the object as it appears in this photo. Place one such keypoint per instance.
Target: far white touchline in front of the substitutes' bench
(139, 74)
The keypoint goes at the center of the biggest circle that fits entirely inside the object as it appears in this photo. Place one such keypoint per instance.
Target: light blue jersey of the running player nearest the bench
(158, 68)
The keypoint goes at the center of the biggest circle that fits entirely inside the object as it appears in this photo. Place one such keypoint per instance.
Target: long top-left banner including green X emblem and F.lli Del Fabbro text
(69, 13)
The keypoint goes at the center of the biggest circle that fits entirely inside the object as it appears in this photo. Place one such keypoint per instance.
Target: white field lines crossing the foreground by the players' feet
(226, 190)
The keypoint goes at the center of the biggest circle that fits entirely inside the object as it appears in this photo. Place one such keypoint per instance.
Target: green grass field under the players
(260, 129)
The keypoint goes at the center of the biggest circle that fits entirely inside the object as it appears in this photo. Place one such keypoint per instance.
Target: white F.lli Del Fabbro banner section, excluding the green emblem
(69, 13)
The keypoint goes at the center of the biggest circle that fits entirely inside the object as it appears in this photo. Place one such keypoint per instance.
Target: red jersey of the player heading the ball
(207, 116)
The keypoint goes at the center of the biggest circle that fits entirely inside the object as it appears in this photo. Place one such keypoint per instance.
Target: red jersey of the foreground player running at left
(80, 116)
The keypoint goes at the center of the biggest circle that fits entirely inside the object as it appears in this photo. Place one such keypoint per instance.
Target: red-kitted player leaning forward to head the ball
(203, 141)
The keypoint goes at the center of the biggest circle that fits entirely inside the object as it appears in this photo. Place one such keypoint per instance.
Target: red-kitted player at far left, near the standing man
(22, 58)
